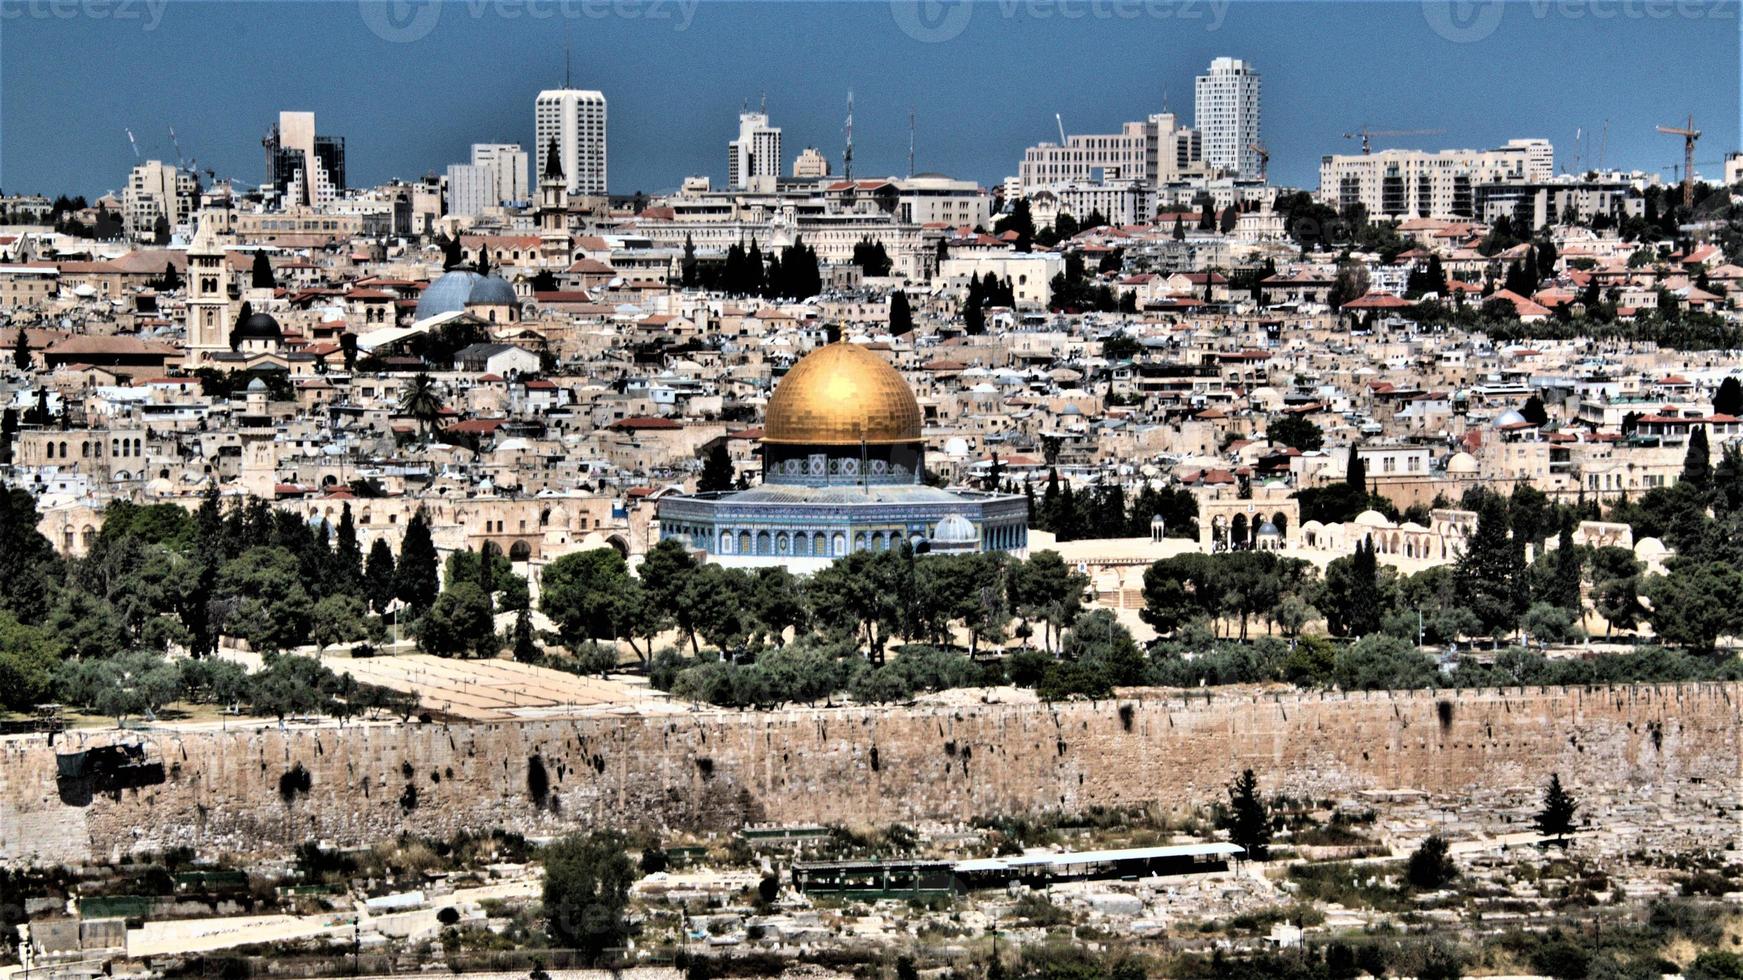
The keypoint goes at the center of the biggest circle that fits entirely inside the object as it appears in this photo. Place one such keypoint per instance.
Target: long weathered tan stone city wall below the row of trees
(226, 791)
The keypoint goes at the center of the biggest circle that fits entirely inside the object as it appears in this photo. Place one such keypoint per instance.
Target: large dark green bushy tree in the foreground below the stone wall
(587, 892)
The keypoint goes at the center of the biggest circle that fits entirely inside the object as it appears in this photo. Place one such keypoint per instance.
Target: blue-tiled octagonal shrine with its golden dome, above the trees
(844, 470)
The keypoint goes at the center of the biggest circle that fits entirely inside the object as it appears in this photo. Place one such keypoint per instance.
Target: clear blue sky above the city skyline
(414, 83)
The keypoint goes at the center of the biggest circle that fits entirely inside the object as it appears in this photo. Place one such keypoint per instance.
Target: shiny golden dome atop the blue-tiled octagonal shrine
(843, 395)
